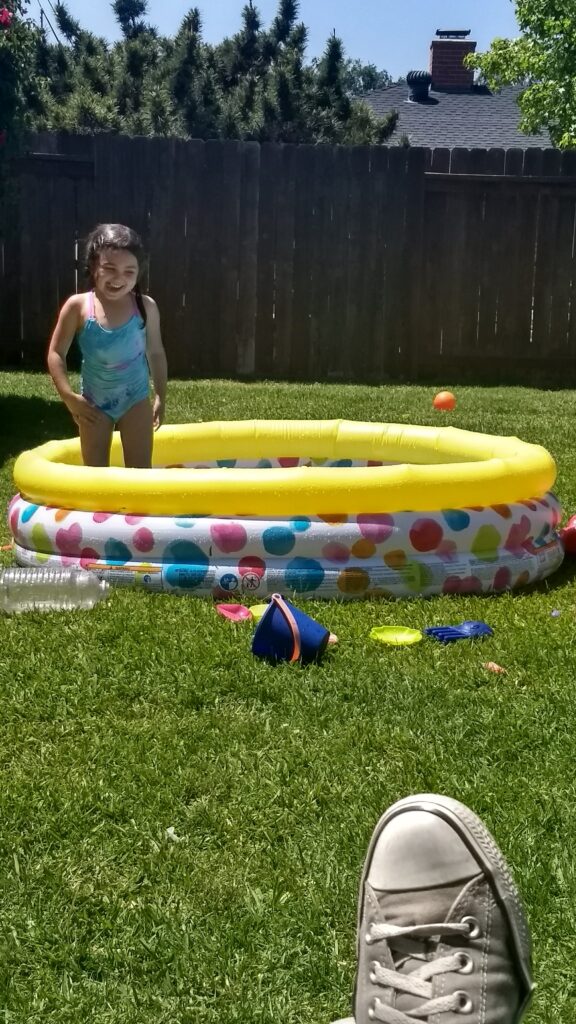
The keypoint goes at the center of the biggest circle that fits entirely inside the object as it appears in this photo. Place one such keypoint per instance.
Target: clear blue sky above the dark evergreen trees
(392, 34)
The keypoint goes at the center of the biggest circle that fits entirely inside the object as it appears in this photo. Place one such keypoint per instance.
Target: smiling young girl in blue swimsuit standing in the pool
(118, 330)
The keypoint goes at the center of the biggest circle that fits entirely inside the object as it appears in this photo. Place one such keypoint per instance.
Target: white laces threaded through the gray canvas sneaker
(419, 982)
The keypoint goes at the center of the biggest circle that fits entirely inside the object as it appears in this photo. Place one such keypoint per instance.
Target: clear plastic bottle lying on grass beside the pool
(50, 590)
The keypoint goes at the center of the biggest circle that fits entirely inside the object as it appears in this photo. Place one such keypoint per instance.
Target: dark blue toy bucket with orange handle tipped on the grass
(286, 634)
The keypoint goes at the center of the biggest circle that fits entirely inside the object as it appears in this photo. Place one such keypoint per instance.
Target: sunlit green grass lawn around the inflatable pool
(149, 714)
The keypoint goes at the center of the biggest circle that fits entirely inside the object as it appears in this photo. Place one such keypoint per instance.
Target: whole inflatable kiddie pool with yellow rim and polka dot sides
(317, 508)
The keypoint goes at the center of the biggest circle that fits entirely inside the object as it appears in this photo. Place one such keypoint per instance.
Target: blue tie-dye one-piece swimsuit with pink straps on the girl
(115, 374)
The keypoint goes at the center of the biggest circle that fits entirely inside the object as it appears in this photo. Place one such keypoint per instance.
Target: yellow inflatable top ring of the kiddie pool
(418, 468)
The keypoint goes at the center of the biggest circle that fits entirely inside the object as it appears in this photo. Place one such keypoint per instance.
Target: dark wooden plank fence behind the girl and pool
(310, 263)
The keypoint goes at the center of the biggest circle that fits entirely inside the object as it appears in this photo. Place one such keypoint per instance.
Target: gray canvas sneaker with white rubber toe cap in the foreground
(442, 936)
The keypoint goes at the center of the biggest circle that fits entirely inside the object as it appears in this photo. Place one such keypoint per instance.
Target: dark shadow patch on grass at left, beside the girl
(31, 421)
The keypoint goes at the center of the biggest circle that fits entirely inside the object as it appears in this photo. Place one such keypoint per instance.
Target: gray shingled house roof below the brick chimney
(469, 118)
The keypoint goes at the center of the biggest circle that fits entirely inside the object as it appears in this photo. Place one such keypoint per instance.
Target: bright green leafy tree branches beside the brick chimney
(543, 60)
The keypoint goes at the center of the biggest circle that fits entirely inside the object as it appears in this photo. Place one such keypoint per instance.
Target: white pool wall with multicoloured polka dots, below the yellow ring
(473, 550)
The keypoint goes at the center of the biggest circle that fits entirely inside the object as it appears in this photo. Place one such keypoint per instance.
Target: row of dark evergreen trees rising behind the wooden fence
(256, 84)
